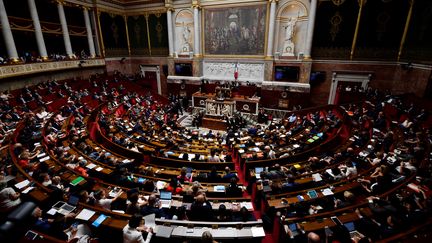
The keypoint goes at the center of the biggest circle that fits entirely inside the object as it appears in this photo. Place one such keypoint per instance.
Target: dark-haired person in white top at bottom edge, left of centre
(133, 231)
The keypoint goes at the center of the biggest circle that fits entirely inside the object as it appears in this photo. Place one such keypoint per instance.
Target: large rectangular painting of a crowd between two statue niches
(235, 31)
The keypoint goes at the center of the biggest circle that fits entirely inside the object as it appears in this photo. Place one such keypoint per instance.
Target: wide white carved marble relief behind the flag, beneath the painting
(225, 71)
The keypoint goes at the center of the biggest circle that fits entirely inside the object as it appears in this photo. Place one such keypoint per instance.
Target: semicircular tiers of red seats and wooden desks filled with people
(115, 153)
